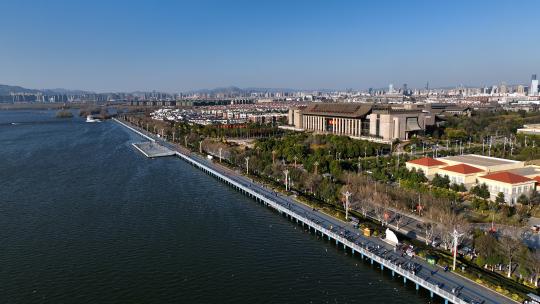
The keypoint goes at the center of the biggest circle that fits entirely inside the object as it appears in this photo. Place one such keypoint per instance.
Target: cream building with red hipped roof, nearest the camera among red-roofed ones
(511, 184)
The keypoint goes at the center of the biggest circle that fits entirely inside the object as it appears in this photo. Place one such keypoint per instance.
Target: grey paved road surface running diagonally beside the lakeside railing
(463, 288)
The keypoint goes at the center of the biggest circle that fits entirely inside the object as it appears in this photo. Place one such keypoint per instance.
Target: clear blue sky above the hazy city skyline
(177, 46)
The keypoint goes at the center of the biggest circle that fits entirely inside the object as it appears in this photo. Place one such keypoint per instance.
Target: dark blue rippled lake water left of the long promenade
(85, 218)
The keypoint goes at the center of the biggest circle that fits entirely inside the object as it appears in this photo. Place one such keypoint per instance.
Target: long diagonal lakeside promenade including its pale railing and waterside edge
(449, 286)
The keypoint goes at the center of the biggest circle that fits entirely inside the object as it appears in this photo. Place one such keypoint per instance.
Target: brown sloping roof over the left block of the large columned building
(349, 110)
